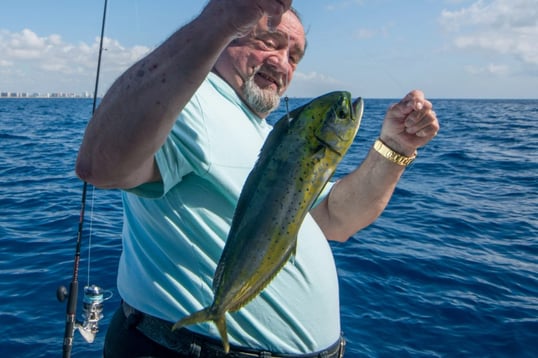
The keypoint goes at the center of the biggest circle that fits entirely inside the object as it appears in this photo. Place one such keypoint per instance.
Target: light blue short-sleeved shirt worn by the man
(174, 233)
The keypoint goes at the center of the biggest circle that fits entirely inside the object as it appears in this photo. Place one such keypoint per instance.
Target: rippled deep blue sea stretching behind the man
(450, 269)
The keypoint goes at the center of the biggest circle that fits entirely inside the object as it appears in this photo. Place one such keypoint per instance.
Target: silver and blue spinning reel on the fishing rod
(92, 310)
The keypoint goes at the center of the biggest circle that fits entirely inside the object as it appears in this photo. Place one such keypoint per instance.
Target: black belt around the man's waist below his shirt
(193, 344)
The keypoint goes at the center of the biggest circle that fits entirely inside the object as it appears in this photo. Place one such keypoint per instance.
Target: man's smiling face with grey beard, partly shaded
(260, 65)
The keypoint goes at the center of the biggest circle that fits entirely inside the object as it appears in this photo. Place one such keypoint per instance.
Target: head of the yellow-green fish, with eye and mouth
(338, 119)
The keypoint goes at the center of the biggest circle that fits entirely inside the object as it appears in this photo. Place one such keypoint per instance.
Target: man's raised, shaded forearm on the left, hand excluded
(138, 111)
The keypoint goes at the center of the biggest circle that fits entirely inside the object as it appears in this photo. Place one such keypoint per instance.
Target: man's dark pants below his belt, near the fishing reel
(123, 340)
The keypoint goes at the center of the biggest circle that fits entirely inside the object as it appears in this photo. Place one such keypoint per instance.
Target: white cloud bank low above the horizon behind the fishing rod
(27, 59)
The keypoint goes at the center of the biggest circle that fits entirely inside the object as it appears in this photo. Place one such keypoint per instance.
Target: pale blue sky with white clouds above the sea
(372, 48)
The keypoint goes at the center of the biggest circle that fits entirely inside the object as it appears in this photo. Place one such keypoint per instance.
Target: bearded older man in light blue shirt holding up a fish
(179, 132)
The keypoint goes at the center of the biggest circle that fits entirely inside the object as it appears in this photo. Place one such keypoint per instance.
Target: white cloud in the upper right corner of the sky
(500, 27)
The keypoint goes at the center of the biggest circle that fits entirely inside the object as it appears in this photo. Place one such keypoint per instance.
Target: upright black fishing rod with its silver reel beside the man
(93, 295)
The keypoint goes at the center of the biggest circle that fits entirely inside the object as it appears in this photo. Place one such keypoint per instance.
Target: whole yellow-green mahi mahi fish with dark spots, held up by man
(295, 163)
